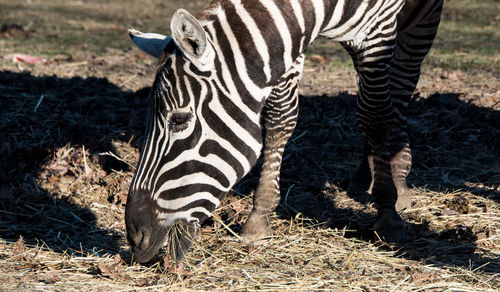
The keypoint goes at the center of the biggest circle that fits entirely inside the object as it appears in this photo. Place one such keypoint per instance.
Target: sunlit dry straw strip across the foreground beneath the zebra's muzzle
(302, 256)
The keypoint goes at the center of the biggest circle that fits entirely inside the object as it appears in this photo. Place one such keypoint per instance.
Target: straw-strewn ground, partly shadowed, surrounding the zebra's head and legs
(70, 133)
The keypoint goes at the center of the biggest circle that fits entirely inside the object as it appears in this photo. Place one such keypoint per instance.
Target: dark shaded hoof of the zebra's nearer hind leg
(390, 227)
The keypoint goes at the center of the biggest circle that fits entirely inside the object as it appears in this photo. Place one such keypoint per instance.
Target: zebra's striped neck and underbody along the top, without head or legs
(259, 40)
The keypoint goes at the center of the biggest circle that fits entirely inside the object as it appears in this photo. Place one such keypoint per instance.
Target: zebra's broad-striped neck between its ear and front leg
(257, 41)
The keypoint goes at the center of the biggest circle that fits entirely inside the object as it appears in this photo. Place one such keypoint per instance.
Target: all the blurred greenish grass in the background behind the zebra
(468, 38)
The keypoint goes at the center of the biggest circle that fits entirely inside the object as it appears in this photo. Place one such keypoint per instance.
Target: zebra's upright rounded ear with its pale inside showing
(190, 36)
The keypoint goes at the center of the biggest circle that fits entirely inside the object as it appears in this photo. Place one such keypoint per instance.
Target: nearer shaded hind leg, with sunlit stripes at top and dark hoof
(376, 117)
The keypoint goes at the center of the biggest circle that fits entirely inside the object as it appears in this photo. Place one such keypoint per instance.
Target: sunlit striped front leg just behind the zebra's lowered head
(279, 117)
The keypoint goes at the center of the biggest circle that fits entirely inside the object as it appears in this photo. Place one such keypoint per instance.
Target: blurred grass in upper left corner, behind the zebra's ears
(90, 27)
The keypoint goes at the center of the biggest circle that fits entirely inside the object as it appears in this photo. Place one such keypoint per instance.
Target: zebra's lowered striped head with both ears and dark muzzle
(191, 156)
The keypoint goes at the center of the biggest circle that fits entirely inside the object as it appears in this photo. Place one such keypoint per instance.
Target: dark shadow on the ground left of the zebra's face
(39, 115)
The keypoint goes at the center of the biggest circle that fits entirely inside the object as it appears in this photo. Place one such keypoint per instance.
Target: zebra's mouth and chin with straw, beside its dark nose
(180, 237)
